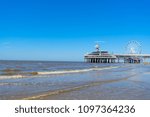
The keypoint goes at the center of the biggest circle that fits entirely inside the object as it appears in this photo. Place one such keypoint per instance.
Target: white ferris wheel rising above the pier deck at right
(134, 47)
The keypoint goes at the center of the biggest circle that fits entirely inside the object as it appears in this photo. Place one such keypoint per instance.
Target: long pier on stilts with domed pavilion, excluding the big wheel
(99, 56)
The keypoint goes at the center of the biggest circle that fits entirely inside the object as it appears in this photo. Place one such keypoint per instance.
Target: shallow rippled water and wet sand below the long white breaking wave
(125, 82)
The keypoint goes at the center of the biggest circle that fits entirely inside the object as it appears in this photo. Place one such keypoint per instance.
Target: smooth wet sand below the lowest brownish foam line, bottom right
(125, 89)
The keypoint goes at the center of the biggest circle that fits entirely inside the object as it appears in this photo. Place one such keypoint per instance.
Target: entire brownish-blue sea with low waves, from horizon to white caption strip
(53, 80)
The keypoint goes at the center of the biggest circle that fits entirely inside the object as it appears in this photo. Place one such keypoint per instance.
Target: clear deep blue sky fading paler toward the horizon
(61, 30)
